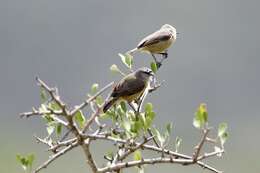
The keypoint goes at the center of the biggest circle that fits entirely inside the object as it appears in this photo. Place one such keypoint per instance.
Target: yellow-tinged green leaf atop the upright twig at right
(201, 116)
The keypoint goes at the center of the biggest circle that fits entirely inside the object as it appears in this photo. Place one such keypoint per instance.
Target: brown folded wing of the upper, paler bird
(154, 38)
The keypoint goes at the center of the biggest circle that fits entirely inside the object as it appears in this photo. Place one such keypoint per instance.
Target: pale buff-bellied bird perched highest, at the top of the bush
(157, 42)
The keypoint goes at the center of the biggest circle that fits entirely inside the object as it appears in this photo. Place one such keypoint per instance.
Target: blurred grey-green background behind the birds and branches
(71, 44)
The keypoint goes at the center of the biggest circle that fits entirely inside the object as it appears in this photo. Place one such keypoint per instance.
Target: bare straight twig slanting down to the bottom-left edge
(55, 156)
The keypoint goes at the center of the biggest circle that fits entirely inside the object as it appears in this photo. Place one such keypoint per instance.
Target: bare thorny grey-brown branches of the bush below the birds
(84, 139)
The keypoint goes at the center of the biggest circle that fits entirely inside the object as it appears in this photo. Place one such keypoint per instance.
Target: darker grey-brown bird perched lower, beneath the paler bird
(130, 88)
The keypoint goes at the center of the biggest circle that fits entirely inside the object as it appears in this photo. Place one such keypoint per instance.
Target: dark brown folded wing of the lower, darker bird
(128, 86)
